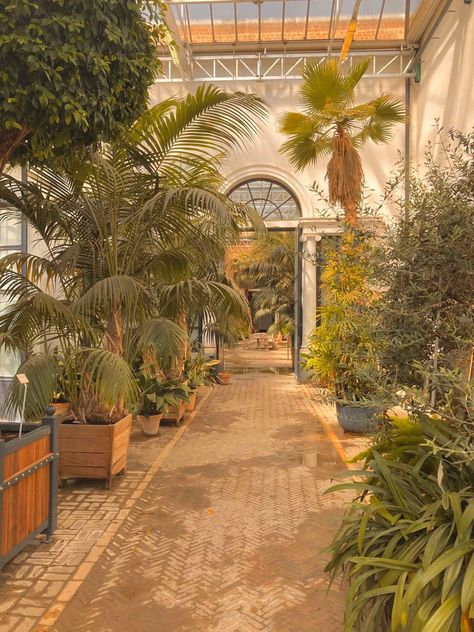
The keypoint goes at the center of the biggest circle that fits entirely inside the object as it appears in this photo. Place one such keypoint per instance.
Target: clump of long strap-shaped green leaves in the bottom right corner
(406, 544)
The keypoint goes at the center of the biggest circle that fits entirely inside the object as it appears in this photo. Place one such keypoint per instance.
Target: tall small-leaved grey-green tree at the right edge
(427, 269)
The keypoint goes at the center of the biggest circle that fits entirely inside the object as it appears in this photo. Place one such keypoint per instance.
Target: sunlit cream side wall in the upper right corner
(446, 90)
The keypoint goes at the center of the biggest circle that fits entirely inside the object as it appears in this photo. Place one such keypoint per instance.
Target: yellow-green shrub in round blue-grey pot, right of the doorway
(344, 348)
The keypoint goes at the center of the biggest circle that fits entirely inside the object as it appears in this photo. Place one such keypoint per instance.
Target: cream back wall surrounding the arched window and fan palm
(263, 158)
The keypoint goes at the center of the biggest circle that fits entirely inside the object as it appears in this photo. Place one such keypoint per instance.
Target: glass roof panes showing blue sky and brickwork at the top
(245, 21)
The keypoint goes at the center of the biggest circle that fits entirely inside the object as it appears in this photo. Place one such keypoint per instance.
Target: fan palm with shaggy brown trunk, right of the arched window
(332, 125)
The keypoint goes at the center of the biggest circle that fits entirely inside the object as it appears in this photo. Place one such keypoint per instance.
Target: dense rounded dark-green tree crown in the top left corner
(72, 73)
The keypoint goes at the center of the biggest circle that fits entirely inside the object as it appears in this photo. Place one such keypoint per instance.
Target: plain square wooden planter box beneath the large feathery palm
(90, 451)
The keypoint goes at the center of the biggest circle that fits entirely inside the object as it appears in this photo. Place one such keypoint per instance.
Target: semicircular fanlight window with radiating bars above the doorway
(272, 200)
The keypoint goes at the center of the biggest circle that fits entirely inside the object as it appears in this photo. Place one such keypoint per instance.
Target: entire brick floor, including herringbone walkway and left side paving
(225, 535)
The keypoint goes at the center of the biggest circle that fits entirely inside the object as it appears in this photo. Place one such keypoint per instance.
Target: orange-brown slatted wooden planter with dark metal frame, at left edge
(28, 486)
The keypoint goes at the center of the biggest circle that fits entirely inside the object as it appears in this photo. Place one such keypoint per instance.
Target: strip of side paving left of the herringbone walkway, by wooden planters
(34, 579)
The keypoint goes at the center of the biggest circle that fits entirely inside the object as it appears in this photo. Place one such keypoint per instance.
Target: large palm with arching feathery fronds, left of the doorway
(129, 241)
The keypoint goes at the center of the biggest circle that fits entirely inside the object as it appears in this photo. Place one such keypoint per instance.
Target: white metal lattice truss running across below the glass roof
(265, 67)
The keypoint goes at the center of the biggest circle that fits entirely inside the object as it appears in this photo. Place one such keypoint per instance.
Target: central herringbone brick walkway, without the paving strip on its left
(227, 537)
